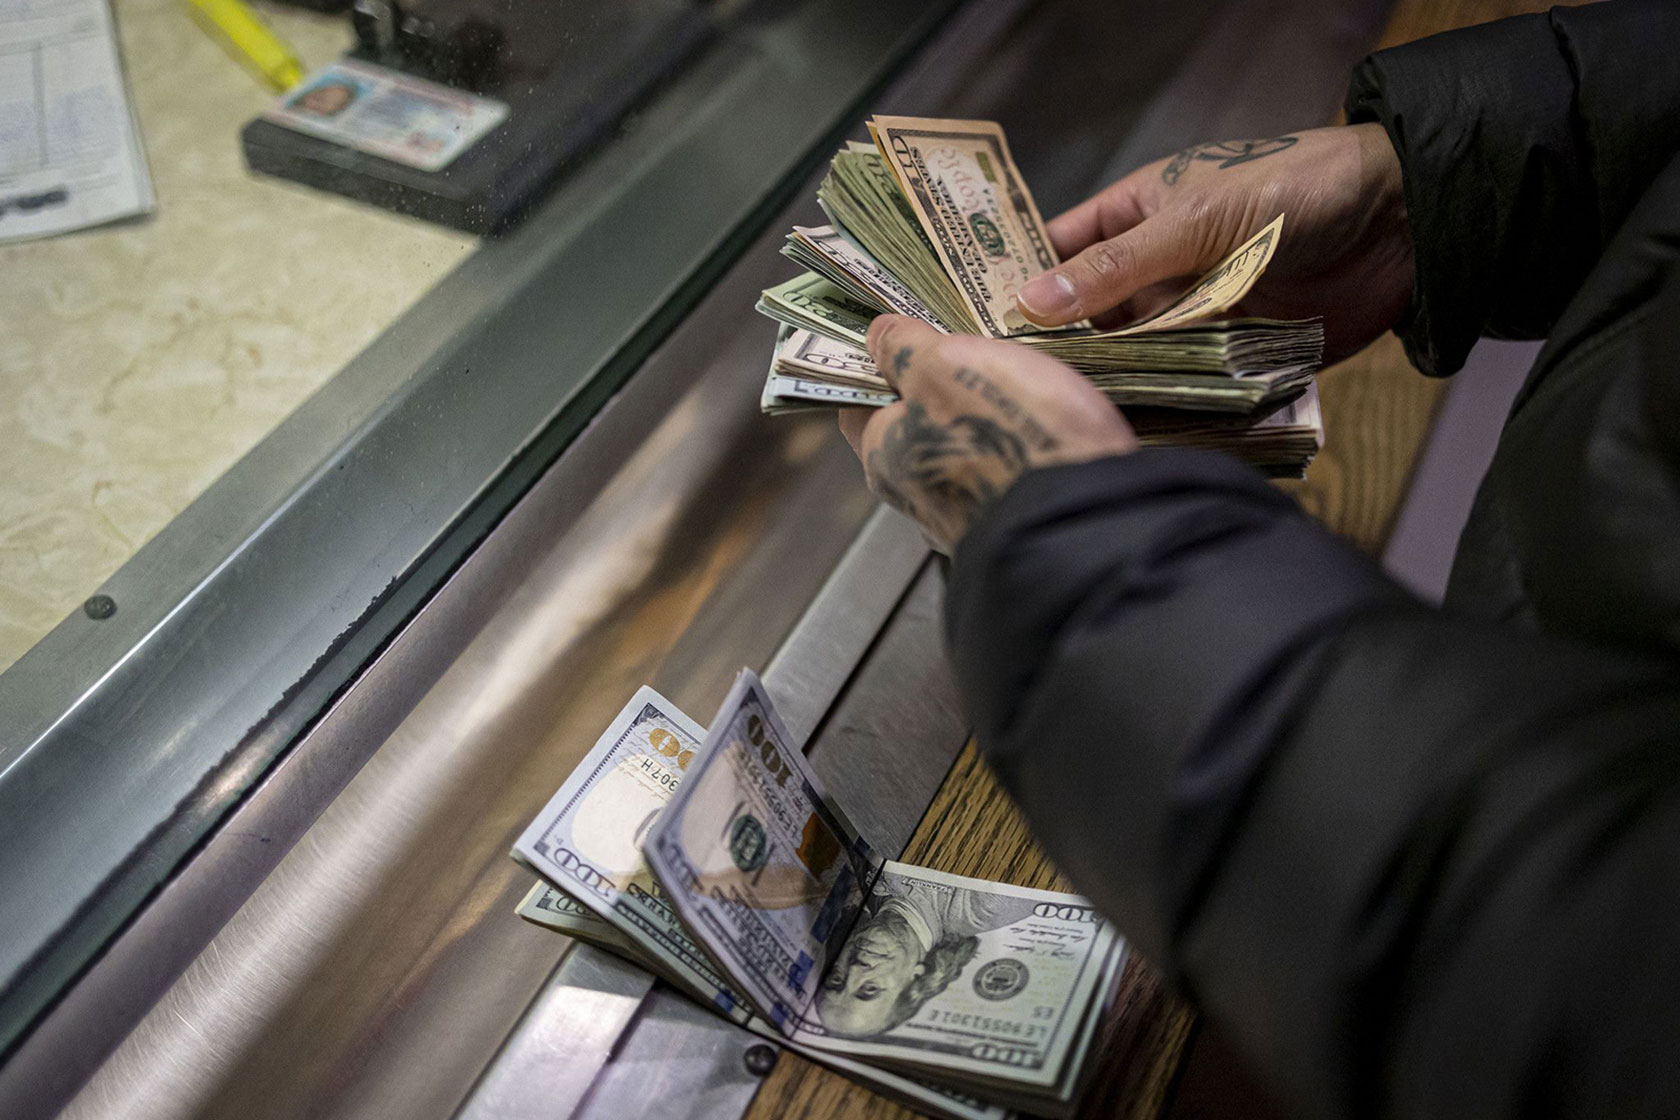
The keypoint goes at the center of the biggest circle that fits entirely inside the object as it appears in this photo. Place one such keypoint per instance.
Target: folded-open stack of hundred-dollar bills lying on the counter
(717, 861)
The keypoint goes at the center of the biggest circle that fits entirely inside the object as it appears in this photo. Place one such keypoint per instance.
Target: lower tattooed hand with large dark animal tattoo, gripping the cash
(975, 416)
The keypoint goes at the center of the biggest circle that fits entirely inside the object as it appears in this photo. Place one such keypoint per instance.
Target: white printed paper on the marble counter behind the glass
(70, 147)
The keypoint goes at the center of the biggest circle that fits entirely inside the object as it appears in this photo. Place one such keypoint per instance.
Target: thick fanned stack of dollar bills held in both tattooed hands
(933, 221)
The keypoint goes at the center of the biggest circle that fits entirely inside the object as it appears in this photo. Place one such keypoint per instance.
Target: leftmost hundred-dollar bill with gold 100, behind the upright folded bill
(589, 839)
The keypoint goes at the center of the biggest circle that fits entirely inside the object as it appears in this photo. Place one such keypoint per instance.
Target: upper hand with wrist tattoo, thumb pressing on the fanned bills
(1347, 251)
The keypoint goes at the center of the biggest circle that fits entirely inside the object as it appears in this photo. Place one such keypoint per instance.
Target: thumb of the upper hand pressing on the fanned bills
(1111, 273)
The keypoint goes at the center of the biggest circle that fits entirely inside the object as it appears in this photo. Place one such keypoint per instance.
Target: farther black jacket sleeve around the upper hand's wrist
(1525, 144)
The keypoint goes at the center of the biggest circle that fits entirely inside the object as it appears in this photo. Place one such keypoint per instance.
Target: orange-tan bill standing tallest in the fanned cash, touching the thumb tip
(975, 209)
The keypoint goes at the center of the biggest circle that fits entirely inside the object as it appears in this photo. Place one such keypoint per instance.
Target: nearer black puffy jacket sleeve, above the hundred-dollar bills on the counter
(1415, 866)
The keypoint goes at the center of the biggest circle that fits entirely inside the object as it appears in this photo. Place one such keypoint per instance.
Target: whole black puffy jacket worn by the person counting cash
(1415, 862)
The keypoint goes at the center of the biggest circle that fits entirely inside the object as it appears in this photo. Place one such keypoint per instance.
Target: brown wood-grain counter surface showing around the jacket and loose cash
(1378, 412)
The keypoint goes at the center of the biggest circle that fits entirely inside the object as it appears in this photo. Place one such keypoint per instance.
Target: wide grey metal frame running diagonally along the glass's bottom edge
(241, 622)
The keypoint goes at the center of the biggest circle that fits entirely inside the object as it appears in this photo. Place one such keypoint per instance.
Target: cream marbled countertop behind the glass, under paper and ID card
(140, 360)
